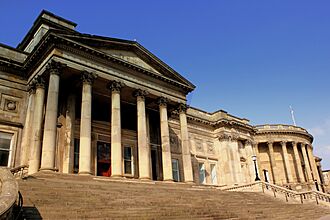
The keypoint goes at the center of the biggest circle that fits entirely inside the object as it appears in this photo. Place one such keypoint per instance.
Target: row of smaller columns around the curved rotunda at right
(308, 161)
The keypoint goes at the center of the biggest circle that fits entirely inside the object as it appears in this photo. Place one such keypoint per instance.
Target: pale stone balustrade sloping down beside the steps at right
(284, 193)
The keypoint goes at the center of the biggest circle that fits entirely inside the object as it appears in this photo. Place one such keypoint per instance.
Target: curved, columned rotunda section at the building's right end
(285, 155)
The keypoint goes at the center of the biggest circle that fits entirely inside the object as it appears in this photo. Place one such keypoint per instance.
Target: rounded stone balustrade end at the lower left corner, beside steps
(8, 195)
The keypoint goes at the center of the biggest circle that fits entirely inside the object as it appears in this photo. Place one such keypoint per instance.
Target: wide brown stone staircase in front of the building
(59, 196)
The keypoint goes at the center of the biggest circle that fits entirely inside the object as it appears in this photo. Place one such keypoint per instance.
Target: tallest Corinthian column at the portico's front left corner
(49, 139)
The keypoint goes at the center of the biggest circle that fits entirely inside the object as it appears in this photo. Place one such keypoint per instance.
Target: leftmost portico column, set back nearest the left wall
(26, 139)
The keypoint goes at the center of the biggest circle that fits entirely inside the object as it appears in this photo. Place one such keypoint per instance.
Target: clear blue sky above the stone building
(250, 58)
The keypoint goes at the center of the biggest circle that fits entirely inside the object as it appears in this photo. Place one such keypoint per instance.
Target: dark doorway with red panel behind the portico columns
(103, 159)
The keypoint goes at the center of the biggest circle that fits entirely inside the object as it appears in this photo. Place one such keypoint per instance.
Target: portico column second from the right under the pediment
(165, 138)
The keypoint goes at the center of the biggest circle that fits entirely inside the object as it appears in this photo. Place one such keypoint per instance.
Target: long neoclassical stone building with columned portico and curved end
(86, 104)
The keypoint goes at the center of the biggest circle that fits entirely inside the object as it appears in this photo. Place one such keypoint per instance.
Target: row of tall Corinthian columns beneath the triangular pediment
(42, 153)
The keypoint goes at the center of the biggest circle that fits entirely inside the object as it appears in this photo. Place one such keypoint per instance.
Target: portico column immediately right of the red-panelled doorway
(116, 149)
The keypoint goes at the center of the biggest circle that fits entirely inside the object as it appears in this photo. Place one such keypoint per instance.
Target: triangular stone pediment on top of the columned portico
(130, 52)
